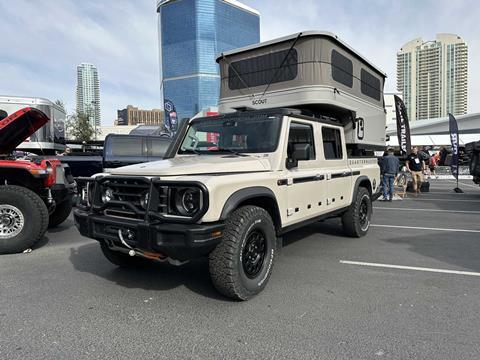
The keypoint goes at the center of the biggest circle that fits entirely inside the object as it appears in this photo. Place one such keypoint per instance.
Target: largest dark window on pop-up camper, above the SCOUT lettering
(264, 69)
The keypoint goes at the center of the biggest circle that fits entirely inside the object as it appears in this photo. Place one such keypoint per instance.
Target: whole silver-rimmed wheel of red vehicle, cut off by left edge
(23, 219)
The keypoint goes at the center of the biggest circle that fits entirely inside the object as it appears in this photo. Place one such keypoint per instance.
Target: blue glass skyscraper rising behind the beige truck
(191, 34)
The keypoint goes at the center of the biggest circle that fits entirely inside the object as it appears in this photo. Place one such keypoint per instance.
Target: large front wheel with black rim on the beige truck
(228, 263)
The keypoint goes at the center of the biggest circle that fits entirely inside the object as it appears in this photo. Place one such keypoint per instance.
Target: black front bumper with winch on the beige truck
(177, 241)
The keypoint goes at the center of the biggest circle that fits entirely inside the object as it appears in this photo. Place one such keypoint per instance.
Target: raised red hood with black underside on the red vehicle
(14, 129)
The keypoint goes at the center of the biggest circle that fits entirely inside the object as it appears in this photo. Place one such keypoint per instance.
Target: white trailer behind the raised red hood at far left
(50, 138)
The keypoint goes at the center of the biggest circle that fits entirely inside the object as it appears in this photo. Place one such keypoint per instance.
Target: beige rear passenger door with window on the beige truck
(335, 163)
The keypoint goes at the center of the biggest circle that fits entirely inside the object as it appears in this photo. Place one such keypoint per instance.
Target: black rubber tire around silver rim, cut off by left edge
(35, 217)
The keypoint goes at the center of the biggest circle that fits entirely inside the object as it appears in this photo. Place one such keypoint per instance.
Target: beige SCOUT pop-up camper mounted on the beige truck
(314, 71)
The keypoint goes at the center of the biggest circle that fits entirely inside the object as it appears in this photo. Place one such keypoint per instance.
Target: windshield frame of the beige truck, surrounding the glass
(237, 117)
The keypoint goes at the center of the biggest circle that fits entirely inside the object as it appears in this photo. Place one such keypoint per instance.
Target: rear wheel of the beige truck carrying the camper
(354, 224)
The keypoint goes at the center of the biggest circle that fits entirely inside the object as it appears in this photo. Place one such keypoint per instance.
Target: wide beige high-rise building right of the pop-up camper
(432, 76)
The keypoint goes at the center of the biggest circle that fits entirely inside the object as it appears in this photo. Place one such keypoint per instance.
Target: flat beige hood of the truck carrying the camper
(196, 165)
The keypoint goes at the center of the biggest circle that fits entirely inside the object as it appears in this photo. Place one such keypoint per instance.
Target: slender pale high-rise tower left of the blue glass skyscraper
(88, 92)
